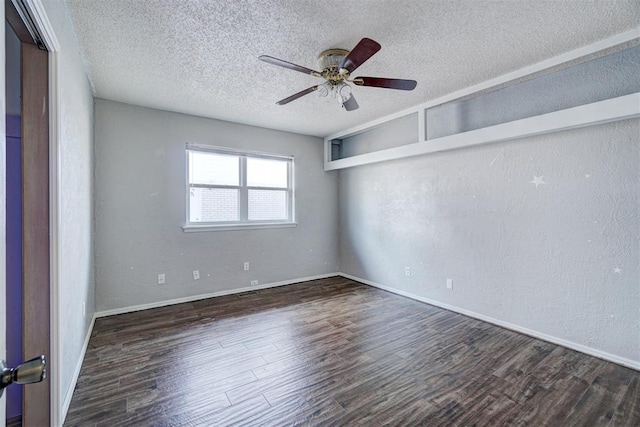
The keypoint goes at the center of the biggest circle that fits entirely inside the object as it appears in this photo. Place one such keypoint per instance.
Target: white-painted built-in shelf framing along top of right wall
(589, 114)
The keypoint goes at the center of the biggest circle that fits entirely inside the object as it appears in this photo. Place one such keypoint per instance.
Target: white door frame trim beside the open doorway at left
(41, 22)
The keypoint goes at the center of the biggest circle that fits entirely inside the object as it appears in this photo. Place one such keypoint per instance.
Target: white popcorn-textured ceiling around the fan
(201, 57)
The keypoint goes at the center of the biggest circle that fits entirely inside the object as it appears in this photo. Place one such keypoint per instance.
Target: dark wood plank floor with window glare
(335, 352)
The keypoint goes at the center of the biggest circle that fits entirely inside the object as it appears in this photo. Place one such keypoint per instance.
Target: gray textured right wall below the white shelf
(561, 258)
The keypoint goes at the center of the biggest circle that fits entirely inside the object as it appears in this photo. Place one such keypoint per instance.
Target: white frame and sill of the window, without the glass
(243, 223)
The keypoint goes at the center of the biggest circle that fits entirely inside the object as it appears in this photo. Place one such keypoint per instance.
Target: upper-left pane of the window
(214, 169)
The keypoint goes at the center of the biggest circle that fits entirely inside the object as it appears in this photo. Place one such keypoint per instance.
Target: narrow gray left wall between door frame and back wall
(76, 263)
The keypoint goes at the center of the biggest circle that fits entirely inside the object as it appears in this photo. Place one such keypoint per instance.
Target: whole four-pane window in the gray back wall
(234, 188)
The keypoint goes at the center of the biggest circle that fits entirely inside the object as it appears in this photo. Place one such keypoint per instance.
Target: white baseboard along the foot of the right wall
(535, 334)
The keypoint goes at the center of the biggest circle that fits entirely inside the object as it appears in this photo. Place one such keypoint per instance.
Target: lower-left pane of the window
(213, 204)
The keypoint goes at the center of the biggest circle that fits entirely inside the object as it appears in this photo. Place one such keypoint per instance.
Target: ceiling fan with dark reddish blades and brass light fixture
(337, 66)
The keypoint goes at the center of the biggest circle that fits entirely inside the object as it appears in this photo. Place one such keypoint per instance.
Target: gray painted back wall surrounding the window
(140, 209)
